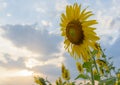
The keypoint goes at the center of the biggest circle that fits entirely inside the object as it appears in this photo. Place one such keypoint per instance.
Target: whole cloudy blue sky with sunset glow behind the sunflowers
(30, 40)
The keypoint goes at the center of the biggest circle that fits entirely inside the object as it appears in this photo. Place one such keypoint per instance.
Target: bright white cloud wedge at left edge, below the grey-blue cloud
(7, 47)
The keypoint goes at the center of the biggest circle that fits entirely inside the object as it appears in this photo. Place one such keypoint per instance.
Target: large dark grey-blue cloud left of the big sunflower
(34, 40)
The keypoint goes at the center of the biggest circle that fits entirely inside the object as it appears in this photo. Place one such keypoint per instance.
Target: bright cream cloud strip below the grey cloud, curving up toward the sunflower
(57, 58)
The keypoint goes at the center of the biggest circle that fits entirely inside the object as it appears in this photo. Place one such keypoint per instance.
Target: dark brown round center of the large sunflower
(74, 32)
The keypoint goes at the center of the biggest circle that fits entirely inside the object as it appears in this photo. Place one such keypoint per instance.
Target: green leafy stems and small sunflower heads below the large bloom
(102, 66)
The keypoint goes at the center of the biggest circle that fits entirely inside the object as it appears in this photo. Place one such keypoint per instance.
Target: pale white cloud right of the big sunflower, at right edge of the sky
(108, 27)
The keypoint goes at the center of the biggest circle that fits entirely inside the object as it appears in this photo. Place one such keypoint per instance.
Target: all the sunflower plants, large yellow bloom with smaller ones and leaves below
(82, 43)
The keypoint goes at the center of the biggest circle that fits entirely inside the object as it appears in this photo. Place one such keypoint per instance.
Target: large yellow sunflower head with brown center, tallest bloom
(79, 36)
